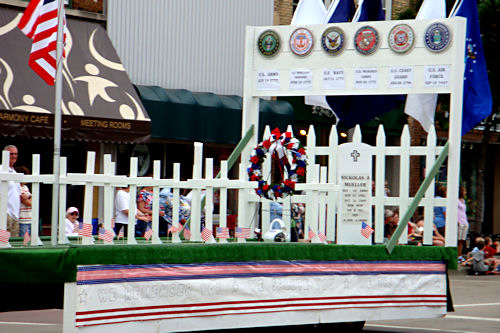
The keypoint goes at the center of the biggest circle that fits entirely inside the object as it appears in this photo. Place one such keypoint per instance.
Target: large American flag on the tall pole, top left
(39, 23)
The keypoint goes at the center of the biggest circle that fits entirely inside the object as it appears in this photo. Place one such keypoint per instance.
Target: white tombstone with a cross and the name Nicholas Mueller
(355, 180)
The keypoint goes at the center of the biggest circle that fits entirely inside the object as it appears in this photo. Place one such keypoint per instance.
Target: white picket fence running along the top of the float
(320, 192)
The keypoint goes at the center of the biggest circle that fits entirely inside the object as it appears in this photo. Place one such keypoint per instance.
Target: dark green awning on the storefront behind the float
(181, 114)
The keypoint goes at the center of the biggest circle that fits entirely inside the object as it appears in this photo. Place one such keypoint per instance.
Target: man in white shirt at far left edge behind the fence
(14, 195)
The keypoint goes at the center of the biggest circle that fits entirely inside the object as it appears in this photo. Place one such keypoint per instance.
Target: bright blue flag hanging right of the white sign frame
(477, 103)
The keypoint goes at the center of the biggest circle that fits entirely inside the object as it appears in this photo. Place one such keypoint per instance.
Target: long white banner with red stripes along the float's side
(186, 297)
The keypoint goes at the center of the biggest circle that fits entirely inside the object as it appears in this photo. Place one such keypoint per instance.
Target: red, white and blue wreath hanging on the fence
(291, 158)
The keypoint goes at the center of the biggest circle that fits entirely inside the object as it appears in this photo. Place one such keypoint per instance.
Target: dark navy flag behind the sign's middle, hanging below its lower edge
(352, 110)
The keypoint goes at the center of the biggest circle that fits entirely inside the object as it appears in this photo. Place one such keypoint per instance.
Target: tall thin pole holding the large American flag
(57, 123)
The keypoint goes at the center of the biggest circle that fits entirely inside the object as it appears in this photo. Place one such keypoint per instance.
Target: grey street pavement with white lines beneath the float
(476, 300)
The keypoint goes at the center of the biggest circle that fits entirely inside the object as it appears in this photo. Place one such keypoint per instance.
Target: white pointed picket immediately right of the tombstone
(379, 190)
